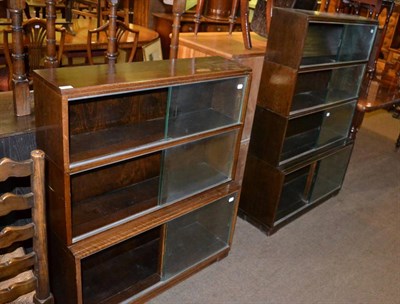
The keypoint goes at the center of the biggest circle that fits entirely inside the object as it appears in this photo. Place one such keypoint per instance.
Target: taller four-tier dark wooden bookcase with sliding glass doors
(300, 144)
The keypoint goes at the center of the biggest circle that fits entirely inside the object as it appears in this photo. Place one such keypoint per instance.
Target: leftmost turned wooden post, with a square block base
(21, 96)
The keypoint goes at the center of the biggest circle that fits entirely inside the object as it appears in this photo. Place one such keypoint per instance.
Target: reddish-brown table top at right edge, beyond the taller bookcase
(380, 92)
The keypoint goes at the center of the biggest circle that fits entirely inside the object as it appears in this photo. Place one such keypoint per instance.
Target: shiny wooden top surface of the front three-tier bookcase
(105, 79)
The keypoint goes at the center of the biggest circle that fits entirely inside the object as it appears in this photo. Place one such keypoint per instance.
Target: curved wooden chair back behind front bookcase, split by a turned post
(122, 32)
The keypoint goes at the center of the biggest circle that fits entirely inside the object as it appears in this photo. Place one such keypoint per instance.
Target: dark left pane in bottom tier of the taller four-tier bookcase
(292, 196)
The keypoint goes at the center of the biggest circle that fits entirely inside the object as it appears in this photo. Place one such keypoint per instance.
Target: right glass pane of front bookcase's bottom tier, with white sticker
(198, 235)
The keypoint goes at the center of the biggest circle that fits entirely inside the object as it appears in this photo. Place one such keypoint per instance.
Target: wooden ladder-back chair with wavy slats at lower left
(16, 275)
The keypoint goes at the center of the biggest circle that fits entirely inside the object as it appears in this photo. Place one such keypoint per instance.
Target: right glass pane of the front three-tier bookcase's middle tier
(197, 166)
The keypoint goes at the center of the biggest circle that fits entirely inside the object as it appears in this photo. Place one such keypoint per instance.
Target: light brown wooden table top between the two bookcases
(223, 44)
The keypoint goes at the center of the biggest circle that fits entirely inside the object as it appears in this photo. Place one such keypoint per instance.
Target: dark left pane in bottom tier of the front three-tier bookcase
(122, 270)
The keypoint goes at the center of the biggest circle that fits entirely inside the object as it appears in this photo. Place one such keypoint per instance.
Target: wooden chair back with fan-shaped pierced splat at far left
(35, 34)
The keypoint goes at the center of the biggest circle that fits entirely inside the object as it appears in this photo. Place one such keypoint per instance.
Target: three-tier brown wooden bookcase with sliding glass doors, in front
(141, 172)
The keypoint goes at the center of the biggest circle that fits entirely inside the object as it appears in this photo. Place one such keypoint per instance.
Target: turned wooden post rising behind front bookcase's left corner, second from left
(51, 56)
